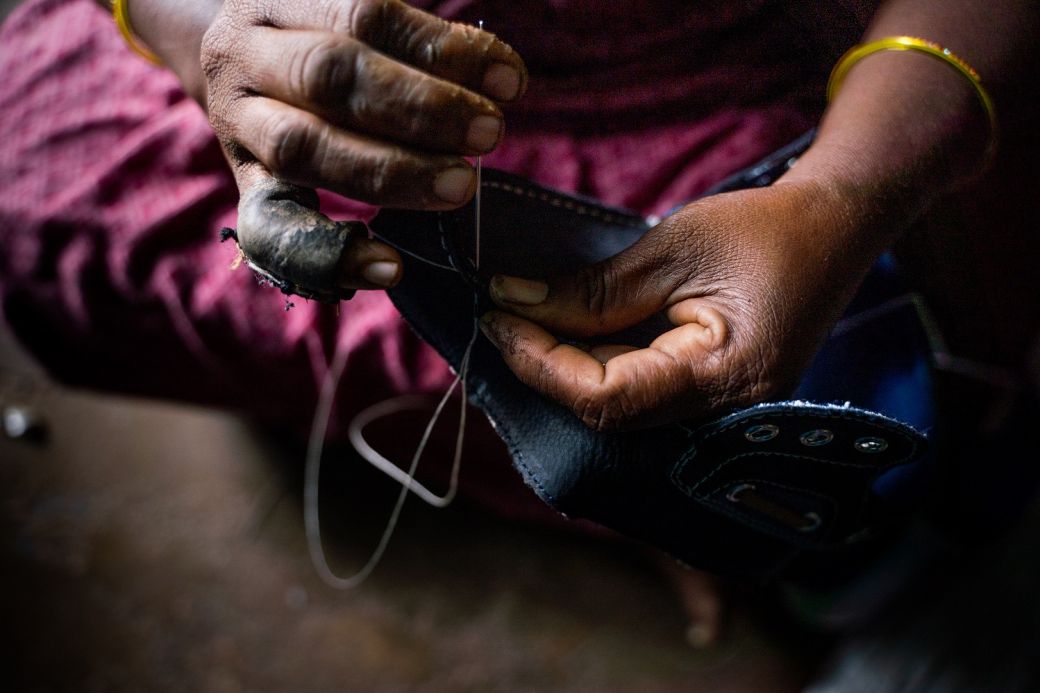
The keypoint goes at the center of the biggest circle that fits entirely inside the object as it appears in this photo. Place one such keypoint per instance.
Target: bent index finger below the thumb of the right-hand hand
(670, 379)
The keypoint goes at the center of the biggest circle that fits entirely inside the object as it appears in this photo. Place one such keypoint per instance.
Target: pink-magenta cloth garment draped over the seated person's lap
(114, 191)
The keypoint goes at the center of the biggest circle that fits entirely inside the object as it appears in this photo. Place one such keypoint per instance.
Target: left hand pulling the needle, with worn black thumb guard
(372, 99)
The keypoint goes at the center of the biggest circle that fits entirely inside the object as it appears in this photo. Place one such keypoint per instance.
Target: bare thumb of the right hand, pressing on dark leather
(599, 299)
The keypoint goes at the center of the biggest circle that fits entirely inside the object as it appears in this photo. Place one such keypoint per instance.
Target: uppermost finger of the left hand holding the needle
(457, 53)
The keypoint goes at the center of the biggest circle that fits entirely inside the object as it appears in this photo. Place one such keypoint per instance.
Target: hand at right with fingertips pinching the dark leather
(752, 280)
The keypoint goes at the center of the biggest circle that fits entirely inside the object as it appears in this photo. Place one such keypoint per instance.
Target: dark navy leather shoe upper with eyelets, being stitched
(745, 493)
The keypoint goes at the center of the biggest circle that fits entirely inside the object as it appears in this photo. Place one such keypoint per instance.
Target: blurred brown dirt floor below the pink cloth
(148, 547)
